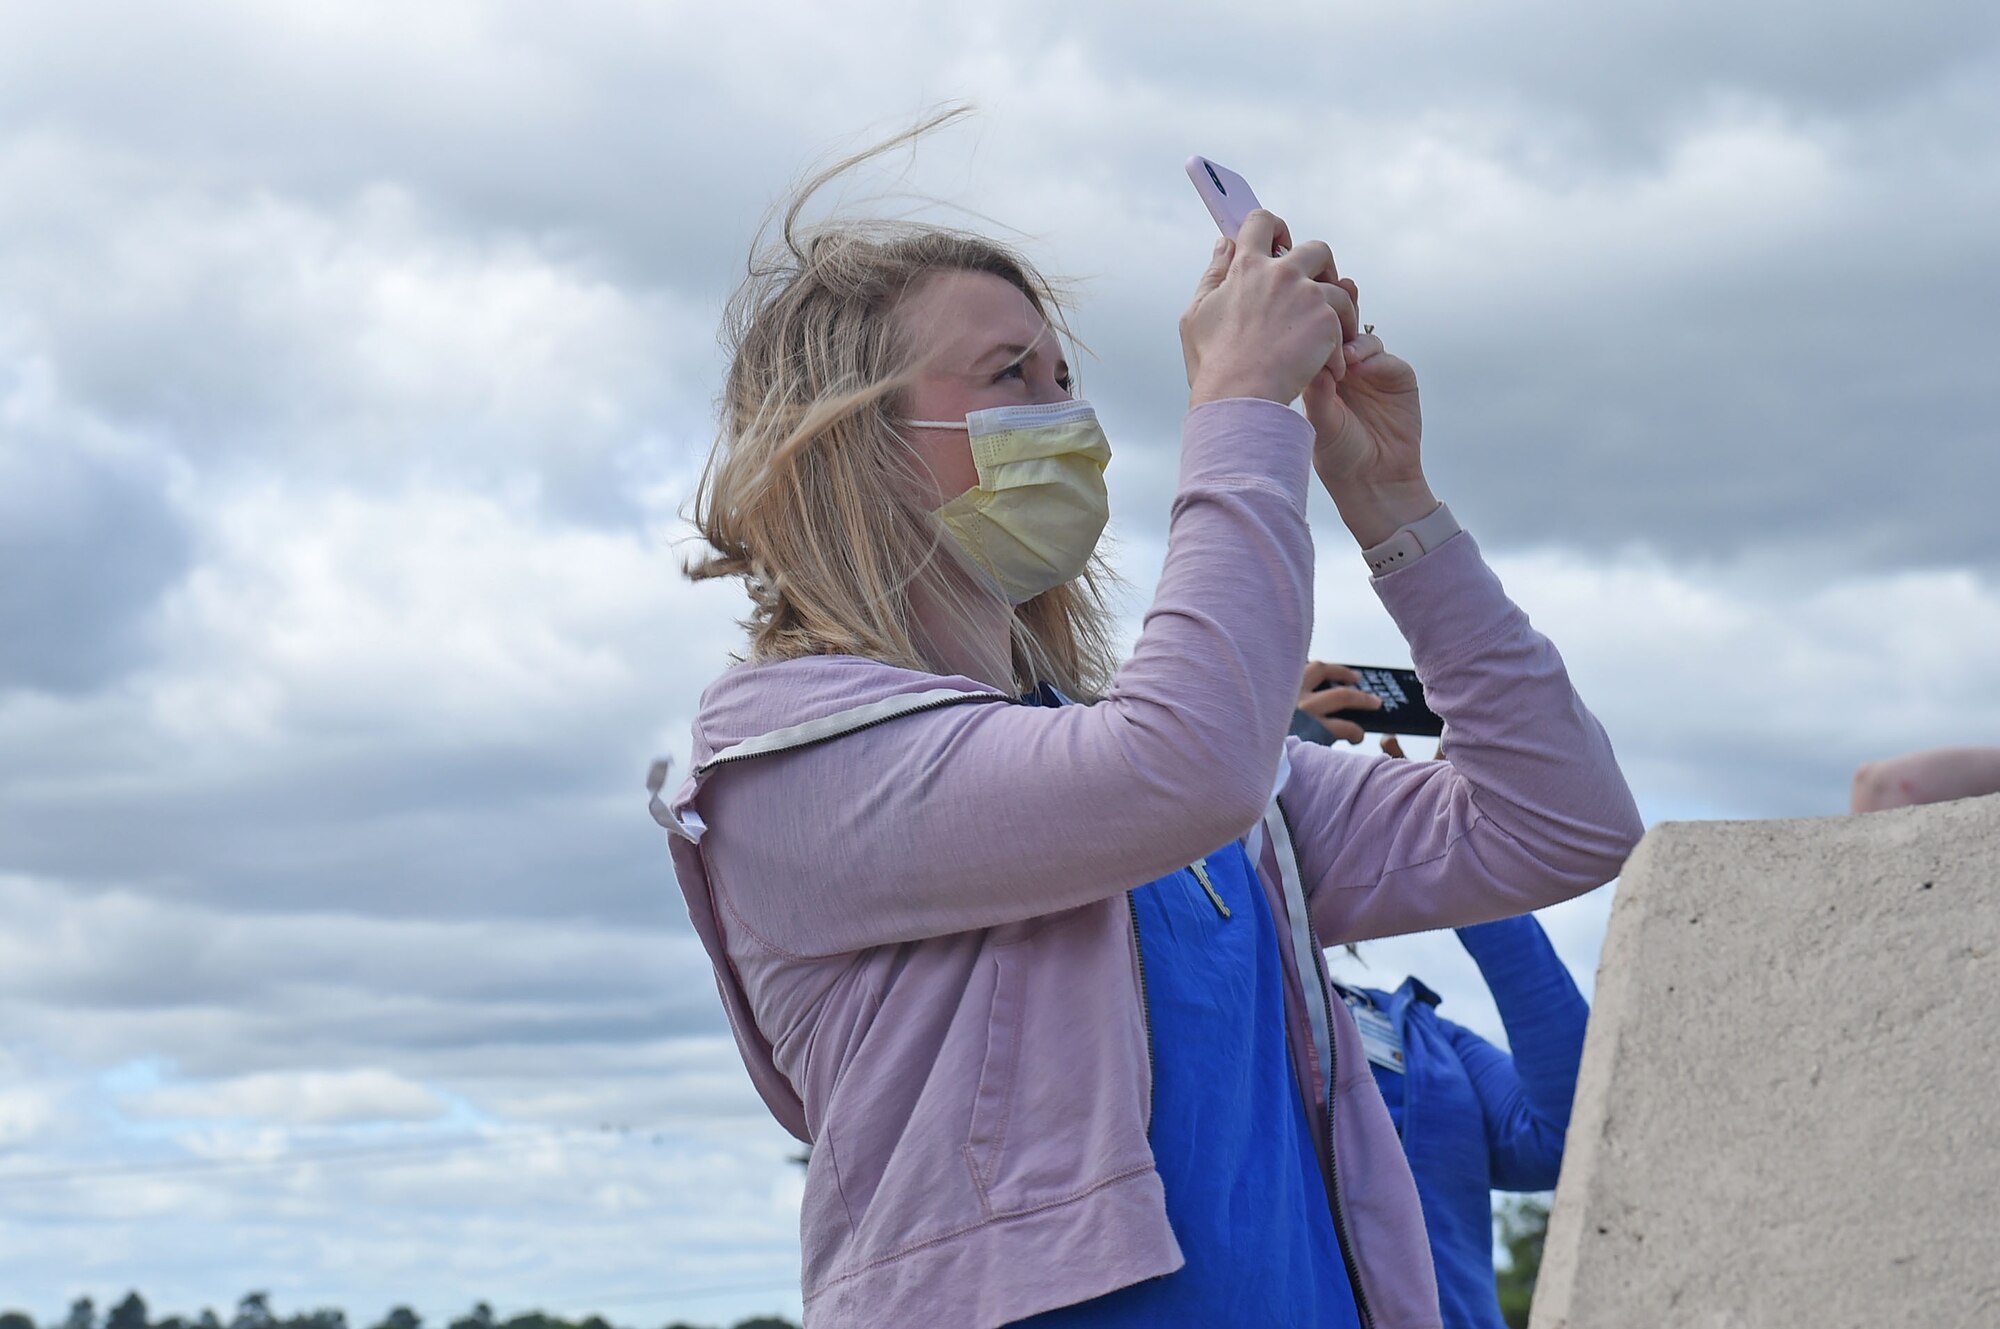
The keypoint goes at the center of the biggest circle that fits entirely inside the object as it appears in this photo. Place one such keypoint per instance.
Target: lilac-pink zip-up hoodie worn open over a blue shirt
(923, 936)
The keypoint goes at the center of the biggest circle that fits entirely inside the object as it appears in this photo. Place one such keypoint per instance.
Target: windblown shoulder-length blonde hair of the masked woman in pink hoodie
(811, 493)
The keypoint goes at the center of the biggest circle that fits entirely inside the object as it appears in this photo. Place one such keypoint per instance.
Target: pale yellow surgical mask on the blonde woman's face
(1039, 509)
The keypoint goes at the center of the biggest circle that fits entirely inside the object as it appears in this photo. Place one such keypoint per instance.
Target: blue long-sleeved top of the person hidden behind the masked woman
(1475, 1118)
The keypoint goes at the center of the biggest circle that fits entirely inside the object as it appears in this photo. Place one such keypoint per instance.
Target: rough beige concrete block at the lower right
(1789, 1108)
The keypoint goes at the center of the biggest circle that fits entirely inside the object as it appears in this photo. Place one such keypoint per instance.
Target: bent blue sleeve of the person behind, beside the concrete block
(1525, 1098)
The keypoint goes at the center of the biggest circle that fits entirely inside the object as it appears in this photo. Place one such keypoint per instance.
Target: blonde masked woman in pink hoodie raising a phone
(1023, 940)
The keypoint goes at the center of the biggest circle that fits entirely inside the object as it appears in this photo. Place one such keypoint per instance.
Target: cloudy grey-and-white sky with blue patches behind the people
(355, 363)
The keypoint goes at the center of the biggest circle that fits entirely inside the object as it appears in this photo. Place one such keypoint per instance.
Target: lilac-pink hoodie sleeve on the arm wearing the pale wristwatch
(1527, 812)
